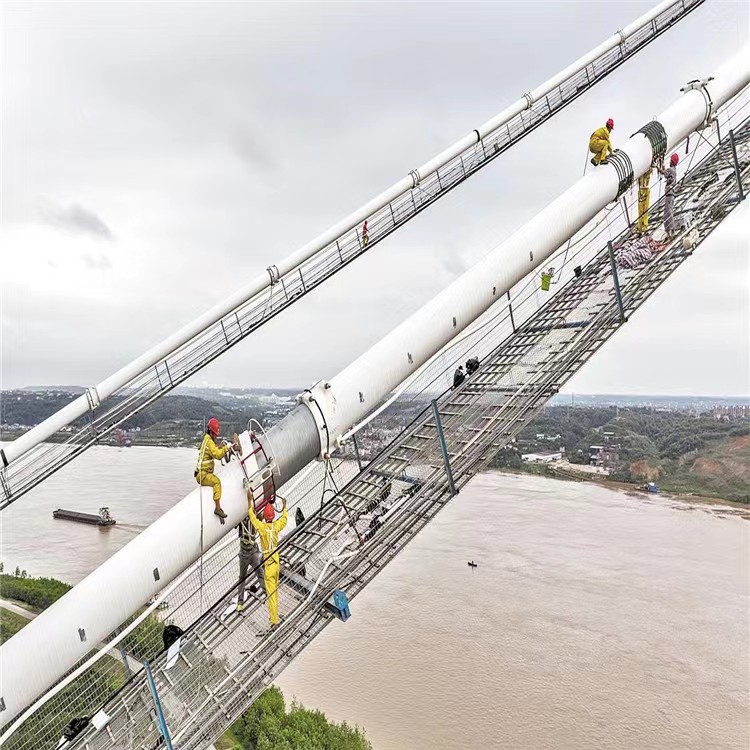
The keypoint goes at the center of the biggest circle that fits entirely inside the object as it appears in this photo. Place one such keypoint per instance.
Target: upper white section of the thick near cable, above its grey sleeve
(354, 392)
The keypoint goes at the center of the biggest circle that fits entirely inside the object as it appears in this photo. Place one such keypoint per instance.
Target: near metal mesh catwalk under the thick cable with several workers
(227, 659)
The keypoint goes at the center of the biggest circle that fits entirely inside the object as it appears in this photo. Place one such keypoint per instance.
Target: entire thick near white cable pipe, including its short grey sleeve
(50, 645)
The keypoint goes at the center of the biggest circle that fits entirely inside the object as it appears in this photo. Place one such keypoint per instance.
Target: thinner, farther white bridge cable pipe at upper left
(81, 405)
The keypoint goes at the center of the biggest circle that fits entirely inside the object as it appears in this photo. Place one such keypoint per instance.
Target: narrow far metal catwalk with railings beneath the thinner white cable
(45, 459)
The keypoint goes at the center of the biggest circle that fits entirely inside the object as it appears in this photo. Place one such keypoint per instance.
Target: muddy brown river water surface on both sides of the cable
(595, 619)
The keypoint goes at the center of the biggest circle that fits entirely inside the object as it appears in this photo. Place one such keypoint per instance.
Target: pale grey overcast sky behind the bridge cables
(158, 155)
